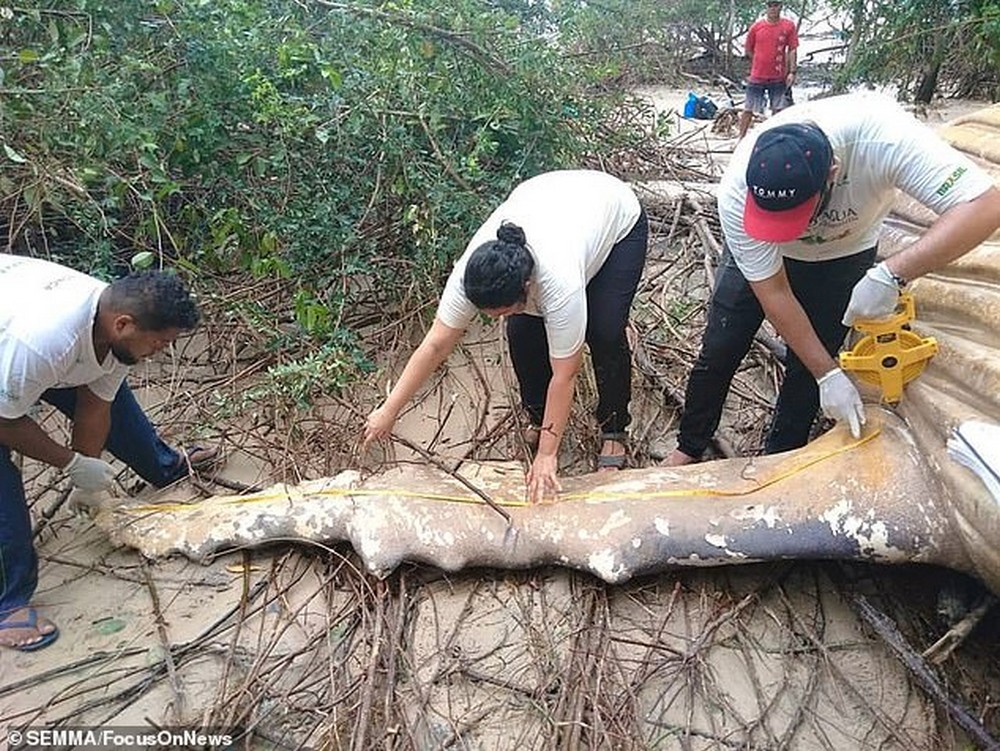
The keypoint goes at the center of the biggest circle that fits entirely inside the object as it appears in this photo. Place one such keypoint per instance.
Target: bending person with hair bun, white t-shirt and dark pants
(561, 259)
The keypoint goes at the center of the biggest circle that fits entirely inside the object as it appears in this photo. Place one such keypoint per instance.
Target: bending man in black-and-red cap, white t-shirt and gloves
(802, 204)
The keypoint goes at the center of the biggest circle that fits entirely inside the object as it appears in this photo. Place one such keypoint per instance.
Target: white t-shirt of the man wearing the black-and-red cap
(880, 147)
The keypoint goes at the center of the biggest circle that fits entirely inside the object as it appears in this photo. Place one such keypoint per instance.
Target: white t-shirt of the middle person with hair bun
(571, 220)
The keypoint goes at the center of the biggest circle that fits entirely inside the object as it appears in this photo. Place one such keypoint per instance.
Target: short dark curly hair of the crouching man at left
(157, 300)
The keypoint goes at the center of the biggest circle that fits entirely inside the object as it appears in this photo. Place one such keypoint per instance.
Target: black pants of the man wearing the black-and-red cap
(823, 288)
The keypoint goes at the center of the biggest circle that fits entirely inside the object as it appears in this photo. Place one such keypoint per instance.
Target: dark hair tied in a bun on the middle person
(497, 270)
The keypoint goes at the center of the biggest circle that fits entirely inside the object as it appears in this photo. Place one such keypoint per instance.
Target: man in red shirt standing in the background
(771, 46)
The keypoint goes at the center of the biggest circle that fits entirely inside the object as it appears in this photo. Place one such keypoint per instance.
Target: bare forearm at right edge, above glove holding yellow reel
(955, 233)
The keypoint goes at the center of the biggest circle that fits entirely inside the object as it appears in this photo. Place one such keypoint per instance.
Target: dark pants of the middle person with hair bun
(609, 298)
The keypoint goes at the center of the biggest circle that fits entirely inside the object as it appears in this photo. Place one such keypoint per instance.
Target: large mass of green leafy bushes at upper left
(315, 145)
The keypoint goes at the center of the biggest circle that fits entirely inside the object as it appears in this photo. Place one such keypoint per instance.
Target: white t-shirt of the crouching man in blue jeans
(46, 322)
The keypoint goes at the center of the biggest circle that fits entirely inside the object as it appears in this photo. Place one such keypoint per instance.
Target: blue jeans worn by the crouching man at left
(132, 439)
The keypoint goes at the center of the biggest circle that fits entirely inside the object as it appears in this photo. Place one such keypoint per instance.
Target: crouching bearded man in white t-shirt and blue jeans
(68, 339)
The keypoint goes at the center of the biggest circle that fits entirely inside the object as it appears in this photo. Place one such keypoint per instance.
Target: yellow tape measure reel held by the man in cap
(890, 355)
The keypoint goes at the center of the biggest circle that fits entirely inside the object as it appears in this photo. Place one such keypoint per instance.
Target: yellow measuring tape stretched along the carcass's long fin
(471, 499)
